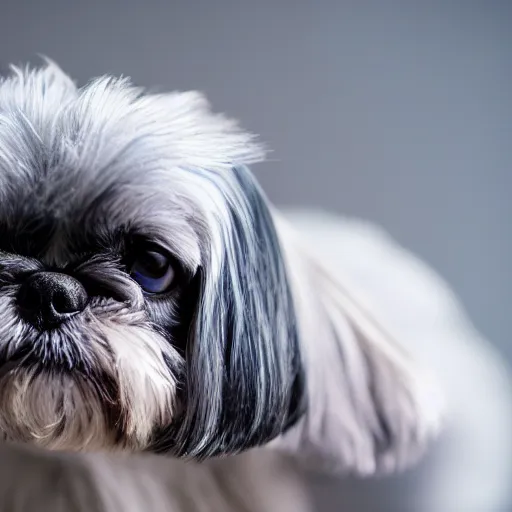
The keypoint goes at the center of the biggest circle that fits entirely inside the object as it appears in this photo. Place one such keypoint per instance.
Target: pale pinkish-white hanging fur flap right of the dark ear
(370, 408)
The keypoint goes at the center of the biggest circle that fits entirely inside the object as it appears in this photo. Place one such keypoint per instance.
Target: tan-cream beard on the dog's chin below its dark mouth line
(59, 410)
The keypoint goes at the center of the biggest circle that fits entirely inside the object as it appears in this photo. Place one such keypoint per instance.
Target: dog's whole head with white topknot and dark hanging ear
(144, 303)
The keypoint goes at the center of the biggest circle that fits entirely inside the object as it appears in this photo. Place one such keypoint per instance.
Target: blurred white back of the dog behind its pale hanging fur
(470, 465)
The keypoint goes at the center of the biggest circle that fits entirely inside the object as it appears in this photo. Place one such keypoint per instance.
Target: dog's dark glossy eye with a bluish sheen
(152, 269)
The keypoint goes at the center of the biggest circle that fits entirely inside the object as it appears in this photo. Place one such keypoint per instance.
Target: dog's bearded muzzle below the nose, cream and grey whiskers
(103, 380)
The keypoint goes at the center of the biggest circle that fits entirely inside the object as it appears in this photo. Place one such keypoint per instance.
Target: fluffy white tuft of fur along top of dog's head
(109, 117)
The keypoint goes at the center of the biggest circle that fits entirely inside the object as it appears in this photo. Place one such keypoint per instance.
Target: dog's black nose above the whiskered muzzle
(49, 298)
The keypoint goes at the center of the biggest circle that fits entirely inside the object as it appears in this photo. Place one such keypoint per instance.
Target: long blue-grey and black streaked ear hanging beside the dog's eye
(244, 382)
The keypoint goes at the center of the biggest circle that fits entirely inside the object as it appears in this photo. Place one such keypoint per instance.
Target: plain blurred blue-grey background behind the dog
(400, 113)
